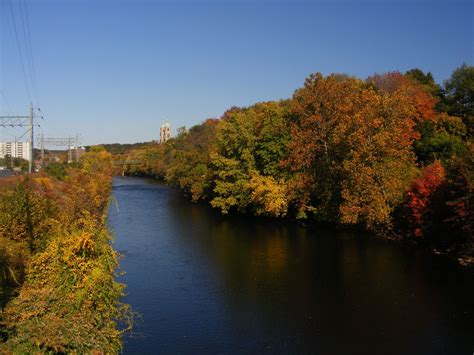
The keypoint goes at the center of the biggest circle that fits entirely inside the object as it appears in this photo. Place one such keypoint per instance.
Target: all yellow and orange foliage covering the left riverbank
(57, 264)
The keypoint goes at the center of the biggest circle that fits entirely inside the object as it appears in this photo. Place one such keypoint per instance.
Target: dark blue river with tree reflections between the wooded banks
(214, 285)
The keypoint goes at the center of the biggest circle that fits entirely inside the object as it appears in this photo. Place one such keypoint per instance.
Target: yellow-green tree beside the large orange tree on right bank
(251, 143)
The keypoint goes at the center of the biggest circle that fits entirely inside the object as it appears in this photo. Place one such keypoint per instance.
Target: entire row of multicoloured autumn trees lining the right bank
(391, 154)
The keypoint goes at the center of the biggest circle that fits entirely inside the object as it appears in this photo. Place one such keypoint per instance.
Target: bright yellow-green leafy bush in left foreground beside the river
(69, 301)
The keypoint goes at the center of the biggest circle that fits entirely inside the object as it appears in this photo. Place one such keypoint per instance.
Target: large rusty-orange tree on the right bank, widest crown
(351, 149)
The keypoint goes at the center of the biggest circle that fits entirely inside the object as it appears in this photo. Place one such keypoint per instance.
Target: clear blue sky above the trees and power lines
(113, 71)
